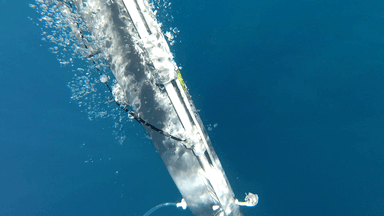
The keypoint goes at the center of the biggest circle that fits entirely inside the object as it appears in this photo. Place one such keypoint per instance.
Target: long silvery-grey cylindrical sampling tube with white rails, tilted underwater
(150, 88)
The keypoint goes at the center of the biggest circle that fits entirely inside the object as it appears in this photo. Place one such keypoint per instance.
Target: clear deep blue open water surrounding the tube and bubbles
(296, 88)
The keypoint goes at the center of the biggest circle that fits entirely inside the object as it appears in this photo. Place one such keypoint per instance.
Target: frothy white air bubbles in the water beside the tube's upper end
(87, 55)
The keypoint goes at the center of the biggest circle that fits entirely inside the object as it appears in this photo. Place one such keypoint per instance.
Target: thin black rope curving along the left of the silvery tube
(130, 113)
